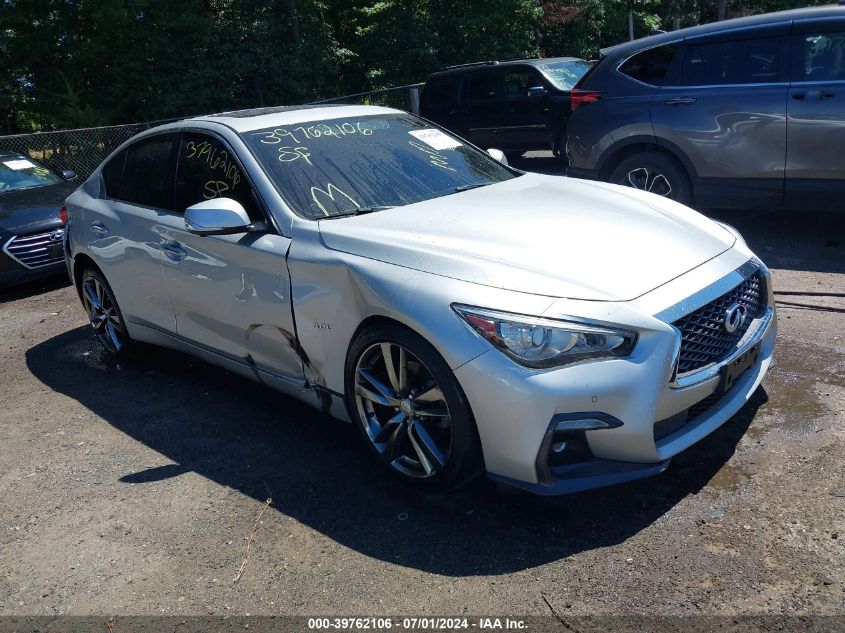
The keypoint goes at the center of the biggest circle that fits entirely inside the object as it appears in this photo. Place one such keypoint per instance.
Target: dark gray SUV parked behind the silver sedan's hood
(746, 113)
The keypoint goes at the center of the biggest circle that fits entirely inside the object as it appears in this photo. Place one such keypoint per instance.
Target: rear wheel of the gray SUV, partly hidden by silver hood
(656, 173)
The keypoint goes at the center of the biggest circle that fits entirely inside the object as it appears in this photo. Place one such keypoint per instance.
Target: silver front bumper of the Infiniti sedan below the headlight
(514, 414)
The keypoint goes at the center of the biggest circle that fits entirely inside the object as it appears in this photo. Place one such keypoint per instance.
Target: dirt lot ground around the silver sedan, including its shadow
(131, 489)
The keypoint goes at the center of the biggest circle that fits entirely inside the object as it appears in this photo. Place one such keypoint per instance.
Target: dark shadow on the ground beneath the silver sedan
(244, 436)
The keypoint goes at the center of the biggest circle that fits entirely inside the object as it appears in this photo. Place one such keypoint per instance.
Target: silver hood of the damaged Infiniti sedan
(546, 235)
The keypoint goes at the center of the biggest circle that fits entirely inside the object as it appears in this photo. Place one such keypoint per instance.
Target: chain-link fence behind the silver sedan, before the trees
(83, 149)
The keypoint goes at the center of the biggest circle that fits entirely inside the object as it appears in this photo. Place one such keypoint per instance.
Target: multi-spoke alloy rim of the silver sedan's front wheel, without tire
(403, 410)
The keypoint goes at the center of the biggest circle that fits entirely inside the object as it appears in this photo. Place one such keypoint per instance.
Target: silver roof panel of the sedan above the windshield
(260, 118)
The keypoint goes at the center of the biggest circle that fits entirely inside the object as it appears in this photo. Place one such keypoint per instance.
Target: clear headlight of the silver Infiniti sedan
(538, 342)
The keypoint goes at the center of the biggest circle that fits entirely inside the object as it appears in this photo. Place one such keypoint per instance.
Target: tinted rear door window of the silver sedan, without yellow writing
(148, 172)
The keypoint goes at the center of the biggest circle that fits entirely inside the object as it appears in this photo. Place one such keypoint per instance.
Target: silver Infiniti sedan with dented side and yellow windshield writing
(466, 317)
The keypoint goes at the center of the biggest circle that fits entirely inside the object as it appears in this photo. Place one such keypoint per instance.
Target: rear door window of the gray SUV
(751, 61)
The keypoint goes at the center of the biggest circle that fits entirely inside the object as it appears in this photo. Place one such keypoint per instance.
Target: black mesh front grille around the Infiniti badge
(704, 338)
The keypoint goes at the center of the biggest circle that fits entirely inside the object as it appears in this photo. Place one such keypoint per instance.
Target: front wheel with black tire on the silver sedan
(410, 410)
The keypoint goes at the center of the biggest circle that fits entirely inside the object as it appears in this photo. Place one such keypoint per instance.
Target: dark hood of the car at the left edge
(32, 209)
